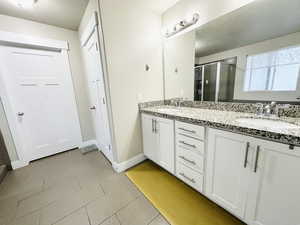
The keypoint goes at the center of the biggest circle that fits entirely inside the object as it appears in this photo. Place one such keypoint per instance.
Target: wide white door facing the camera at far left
(40, 95)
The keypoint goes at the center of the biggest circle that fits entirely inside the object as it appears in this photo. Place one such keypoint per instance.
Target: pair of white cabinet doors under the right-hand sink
(256, 180)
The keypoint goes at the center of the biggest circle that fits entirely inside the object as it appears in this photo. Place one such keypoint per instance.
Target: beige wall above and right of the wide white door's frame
(12, 24)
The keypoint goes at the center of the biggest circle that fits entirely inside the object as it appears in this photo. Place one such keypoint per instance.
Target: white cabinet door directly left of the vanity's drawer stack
(166, 155)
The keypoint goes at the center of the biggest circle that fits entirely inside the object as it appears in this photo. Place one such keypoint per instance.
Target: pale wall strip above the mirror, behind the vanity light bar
(208, 10)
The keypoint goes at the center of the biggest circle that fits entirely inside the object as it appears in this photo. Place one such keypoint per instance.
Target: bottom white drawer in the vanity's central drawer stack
(189, 176)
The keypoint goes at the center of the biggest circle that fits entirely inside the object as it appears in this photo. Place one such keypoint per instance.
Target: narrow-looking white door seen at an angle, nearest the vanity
(97, 95)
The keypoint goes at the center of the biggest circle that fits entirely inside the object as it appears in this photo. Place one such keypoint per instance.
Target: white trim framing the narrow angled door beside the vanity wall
(92, 27)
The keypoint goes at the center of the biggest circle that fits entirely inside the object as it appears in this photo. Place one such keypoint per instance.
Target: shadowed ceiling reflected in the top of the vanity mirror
(258, 21)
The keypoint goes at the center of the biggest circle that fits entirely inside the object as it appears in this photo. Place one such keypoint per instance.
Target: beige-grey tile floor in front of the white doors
(73, 189)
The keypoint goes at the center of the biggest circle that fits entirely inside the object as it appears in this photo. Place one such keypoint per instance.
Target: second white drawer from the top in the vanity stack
(189, 143)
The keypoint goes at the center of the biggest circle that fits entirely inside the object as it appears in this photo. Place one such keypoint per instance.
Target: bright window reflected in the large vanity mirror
(273, 71)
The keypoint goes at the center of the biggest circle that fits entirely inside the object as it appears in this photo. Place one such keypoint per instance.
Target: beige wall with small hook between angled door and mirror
(132, 40)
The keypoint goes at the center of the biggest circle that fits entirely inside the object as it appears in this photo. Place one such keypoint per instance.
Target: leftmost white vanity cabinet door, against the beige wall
(150, 140)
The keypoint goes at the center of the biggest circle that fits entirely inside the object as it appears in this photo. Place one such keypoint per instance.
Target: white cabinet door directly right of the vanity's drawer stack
(226, 175)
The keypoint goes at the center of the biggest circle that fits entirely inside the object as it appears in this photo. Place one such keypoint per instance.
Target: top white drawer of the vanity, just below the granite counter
(191, 130)
